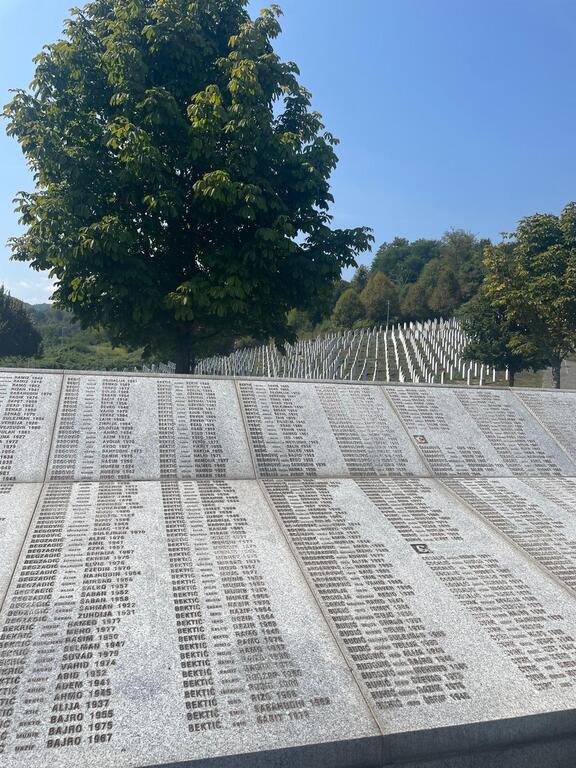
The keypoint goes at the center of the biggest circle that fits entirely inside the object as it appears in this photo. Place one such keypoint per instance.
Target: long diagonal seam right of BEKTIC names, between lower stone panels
(323, 613)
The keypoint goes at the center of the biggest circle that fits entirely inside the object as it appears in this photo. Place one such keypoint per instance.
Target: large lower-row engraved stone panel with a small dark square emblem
(443, 622)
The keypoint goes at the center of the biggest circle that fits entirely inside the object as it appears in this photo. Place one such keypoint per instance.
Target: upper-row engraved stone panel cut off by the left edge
(28, 403)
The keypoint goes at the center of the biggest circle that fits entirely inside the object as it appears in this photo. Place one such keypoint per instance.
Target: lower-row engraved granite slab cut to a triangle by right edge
(536, 515)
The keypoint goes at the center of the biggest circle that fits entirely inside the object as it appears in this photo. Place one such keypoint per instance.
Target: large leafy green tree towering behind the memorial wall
(182, 179)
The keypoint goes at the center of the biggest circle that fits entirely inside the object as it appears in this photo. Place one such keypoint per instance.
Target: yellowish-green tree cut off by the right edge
(531, 277)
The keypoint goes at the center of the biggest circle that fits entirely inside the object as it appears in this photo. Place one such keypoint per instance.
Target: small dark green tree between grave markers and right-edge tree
(491, 333)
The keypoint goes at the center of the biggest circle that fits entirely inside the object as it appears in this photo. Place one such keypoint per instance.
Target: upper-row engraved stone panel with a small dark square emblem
(475, 432)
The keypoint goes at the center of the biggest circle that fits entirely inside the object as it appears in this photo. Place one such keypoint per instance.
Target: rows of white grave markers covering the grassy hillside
(429, 352)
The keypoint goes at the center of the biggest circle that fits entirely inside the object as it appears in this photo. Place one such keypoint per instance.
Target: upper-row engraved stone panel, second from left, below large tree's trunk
(137, 428)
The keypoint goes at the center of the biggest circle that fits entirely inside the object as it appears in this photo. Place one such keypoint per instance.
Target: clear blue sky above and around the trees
(451, 113)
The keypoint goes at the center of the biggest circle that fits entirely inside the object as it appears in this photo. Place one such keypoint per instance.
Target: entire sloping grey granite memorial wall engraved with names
(239, 574)
